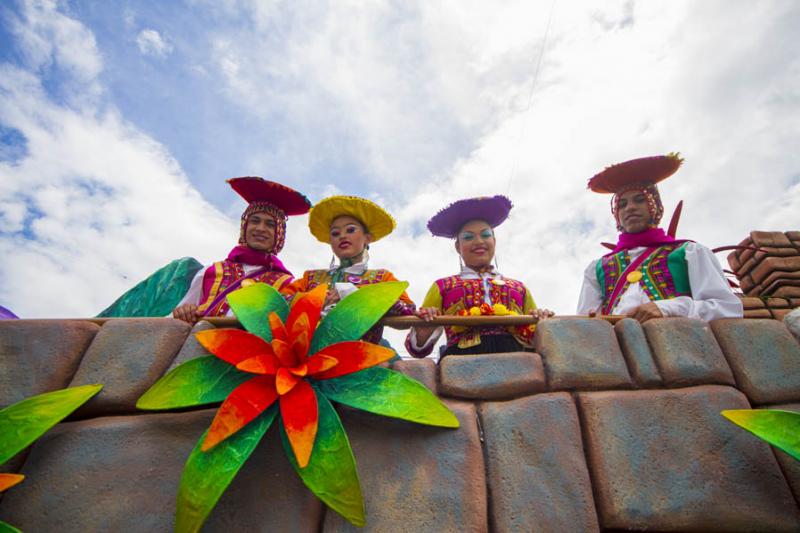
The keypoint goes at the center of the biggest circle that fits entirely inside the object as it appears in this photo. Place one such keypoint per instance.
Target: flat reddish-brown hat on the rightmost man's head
(642, 171)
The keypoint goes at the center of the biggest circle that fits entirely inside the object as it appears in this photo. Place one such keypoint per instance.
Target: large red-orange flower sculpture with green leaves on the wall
(290, 363)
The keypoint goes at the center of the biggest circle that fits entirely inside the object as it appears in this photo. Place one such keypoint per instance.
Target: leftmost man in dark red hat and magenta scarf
(262, 233)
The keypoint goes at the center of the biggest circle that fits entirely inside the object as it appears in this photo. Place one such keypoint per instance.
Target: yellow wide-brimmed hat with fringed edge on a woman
(377, 221)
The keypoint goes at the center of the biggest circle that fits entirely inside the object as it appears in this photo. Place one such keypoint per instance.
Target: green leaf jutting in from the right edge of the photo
(779, 428)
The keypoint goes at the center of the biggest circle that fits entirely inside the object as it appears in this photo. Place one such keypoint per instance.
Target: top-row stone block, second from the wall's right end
(686, 352)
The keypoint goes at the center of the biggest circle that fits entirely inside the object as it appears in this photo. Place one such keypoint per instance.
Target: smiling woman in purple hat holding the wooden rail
(479, 289)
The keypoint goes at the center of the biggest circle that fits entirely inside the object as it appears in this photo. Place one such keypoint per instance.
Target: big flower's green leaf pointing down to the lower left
(206, 475)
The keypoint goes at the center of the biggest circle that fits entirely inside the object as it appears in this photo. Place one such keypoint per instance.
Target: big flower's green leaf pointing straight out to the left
(196, 382)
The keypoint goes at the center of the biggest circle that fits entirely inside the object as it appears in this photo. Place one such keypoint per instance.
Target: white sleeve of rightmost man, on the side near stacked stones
(712, 297)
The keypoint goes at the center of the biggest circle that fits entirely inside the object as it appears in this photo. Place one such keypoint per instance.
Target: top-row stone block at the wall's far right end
(764, 357)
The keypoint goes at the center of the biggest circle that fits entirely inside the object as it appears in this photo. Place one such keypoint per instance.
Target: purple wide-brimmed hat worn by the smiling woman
(492, 209)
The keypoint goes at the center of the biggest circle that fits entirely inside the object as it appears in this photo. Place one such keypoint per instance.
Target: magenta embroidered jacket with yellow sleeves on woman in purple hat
(454, 294)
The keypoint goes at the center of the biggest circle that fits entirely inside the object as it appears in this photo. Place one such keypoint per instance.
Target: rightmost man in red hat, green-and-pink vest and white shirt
(650, 274)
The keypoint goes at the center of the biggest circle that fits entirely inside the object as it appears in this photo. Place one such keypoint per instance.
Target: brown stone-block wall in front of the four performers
(603, 428)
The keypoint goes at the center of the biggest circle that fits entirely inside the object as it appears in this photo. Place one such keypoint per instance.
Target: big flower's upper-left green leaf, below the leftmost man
(252, 306)
